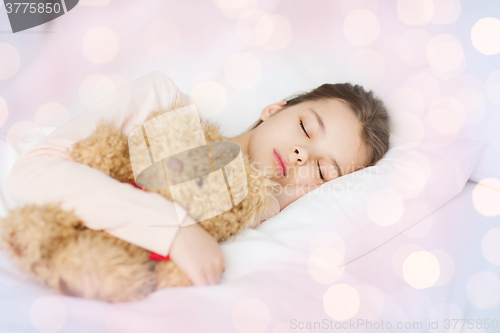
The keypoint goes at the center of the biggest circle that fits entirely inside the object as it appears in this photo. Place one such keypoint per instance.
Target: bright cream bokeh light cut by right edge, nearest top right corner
(485, 35)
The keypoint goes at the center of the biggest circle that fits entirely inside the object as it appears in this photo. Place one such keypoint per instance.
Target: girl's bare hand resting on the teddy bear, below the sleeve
(197, 254)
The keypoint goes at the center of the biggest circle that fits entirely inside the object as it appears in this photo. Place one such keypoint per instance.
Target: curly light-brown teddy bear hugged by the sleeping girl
(55, 246)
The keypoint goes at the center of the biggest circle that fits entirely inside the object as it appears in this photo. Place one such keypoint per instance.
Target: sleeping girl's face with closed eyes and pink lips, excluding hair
(318, 141)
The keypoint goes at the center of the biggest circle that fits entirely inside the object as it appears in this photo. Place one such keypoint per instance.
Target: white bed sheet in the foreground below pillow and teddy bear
(269, 287)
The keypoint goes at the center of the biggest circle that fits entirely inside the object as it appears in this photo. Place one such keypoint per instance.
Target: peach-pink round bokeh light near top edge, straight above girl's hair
(361, 27)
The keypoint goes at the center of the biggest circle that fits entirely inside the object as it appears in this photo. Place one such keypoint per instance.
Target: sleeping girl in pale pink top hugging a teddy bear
(300, 143)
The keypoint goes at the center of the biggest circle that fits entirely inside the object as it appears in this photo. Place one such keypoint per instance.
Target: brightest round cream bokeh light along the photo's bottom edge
(341, 301)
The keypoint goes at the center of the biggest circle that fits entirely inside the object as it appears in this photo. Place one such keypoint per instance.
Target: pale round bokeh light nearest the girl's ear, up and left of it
(242, 70)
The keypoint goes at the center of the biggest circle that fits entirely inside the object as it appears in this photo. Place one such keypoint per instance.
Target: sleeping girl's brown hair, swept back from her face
(370, 111)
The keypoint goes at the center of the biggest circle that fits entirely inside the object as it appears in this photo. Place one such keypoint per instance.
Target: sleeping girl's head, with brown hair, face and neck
(317, 136)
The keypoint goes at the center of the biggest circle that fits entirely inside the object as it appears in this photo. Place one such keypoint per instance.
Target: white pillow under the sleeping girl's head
(360, 211)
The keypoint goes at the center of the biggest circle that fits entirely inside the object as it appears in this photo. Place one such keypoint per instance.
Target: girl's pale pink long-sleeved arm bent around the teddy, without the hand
(46, 173)
